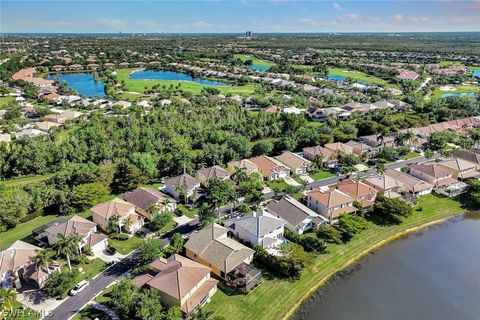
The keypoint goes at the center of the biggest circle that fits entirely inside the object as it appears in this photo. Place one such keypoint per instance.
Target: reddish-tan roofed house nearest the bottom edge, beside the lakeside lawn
(179, 282)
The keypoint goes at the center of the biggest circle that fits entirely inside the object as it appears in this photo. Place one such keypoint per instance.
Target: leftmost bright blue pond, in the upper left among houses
(83, 83)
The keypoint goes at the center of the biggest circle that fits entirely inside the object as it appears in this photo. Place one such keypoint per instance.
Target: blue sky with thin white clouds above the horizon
(239, 16)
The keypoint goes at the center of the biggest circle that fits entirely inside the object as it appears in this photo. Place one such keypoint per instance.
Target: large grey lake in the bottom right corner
(430, 275)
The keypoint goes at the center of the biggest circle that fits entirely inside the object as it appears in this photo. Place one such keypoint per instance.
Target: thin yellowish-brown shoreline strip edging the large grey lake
(350, 265)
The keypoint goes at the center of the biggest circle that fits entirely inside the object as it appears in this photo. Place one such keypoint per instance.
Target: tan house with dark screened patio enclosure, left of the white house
(230, 260)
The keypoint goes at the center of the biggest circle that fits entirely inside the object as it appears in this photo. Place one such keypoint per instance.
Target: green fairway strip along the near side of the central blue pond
(193, 87)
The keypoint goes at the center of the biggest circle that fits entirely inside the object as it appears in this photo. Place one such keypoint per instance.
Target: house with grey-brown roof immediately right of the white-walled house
(298, 217)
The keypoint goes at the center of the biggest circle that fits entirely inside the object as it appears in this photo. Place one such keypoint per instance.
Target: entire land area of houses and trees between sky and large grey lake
(253, 172)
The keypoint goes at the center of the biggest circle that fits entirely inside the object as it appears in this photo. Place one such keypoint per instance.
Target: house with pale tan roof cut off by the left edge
(16, 265)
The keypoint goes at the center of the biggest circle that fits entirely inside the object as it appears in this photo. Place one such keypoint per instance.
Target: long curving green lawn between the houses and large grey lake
(274, 298)
